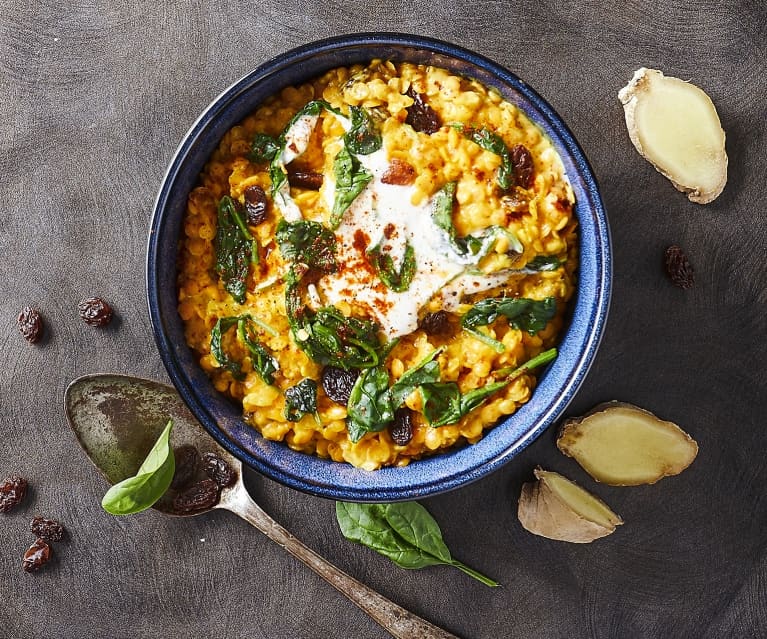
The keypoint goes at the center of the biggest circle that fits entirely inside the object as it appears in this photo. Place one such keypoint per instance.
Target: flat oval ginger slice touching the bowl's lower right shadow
(623, 445)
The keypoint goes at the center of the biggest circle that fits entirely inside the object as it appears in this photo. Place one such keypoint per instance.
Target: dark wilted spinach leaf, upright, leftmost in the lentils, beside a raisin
(235, 248)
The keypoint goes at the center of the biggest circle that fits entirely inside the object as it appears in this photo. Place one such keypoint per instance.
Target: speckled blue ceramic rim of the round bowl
(434, 474)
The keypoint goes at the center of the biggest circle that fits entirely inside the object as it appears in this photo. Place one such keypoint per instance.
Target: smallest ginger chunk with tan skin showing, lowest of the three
(556, 508)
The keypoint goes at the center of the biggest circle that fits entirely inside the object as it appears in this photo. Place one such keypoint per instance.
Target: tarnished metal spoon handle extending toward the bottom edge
(399, 622)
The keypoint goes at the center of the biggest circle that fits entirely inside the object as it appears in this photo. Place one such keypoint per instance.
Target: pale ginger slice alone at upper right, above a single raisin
(674, 126)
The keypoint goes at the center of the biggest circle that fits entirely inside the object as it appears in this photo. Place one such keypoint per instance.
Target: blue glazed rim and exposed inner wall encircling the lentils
(222, 418)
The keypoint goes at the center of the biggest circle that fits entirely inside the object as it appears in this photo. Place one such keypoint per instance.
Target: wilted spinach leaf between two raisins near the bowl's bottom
(370, 407)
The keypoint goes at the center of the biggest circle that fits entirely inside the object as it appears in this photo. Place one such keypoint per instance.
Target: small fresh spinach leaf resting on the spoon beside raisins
(153, 478)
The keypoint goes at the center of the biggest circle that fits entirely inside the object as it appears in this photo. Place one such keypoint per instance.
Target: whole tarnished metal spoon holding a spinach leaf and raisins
(117, 419)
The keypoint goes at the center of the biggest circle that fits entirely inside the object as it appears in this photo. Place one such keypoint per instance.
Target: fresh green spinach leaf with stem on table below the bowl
(404, 532)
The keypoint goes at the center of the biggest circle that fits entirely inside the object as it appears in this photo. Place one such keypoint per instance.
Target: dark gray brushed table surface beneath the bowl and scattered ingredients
(94, 97)
